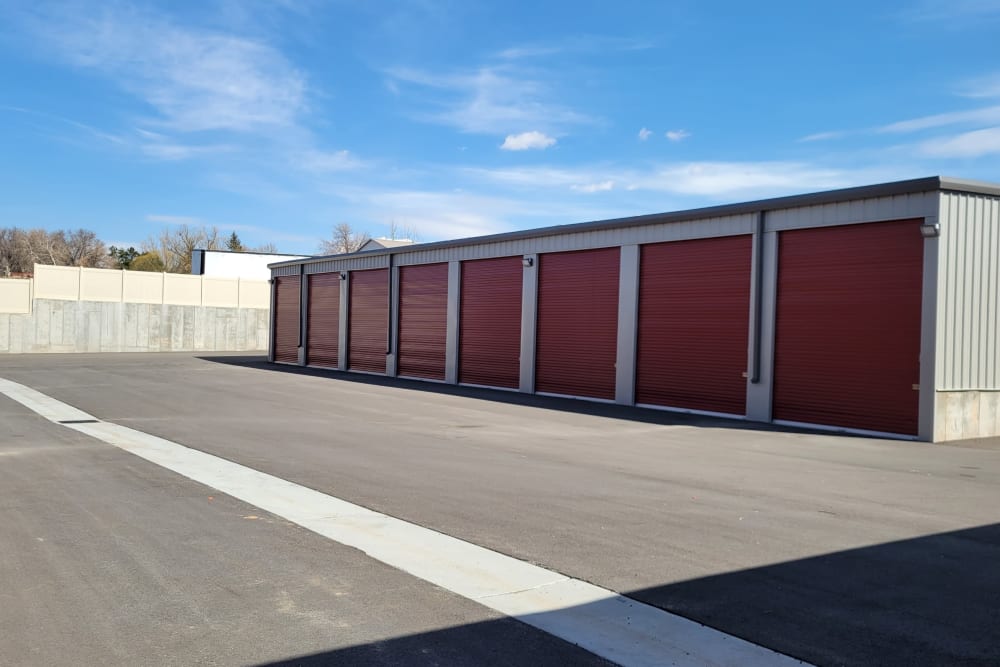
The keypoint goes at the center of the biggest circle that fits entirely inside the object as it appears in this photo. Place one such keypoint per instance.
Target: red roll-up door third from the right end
(577, 332)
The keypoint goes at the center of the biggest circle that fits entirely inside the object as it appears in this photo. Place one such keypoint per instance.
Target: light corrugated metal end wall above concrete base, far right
(969, 293)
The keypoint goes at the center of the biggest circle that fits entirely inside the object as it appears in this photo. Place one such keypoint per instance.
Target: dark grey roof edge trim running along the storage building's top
(912, 186)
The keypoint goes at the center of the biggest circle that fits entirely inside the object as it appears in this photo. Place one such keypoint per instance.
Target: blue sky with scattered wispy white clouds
(457, 118)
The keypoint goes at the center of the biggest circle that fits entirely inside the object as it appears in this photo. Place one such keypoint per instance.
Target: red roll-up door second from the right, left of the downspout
(694, 309)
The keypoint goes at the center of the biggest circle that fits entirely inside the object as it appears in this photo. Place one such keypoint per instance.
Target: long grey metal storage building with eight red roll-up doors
(872, 309)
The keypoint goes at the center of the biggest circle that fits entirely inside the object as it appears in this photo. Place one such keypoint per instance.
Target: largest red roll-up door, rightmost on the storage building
(847, 347)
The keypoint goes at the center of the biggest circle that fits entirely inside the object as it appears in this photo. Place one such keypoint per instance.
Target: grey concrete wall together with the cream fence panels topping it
(71, 309)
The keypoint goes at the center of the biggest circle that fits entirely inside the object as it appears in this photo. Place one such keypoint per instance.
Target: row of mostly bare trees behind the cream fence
(168, 251)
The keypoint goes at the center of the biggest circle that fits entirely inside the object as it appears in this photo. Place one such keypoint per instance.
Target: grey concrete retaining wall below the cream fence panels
(59, 325)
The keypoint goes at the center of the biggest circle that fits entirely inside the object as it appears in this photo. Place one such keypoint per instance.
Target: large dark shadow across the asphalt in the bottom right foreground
(931, 600)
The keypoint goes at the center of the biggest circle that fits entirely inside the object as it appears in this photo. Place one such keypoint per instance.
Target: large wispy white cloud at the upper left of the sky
(195, 79)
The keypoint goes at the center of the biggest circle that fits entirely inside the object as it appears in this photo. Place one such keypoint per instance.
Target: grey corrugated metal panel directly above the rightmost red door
(874, 209)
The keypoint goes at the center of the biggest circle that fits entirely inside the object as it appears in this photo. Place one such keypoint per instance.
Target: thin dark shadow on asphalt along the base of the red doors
(570, 405)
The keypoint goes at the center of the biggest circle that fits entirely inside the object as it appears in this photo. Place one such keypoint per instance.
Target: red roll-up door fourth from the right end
(490, 328)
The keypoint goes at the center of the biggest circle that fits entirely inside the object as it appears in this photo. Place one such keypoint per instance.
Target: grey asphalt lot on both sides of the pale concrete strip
(830, 548)
